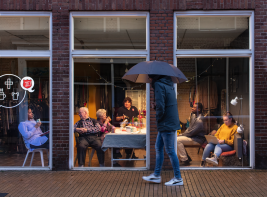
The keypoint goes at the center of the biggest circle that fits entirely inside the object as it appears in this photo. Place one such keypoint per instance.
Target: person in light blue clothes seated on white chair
(31, 133)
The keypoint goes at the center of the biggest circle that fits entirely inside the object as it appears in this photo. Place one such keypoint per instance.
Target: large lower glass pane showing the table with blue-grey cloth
(98, 86)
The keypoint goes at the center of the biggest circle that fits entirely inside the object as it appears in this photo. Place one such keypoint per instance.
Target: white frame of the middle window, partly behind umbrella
(115, 53)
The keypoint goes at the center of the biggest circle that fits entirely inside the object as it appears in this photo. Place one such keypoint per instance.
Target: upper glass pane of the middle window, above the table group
(110, 33)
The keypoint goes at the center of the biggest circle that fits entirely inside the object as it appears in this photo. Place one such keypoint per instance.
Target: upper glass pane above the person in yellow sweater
(212, 32)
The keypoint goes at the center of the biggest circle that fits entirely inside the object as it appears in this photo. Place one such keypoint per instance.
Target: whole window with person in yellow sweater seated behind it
(219, 81)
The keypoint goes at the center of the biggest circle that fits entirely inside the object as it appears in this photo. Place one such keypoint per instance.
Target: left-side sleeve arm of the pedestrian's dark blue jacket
(160, 100)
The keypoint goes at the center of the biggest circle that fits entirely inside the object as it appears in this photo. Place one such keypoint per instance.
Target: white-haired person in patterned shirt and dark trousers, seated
(88, 130)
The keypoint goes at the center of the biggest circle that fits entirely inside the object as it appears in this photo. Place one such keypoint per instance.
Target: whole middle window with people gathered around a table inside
(104, 46)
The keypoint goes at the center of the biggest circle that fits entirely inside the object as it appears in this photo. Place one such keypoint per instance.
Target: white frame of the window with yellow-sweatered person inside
(208, 53)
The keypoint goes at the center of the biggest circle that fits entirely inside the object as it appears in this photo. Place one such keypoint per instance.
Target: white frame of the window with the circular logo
(47, 54)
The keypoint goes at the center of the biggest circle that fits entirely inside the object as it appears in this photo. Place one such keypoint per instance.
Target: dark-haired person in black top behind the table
(127, 111)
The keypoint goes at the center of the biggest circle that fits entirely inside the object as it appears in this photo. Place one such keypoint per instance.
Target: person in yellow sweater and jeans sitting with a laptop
(225, 136)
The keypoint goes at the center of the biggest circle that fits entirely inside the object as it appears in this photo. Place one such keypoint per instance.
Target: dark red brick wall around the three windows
(161, 27)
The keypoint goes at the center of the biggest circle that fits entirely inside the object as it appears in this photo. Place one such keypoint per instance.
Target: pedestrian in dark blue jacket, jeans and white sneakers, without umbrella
(167, 123)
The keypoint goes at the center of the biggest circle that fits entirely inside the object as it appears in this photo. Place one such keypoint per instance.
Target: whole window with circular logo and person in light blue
(25, 90)
